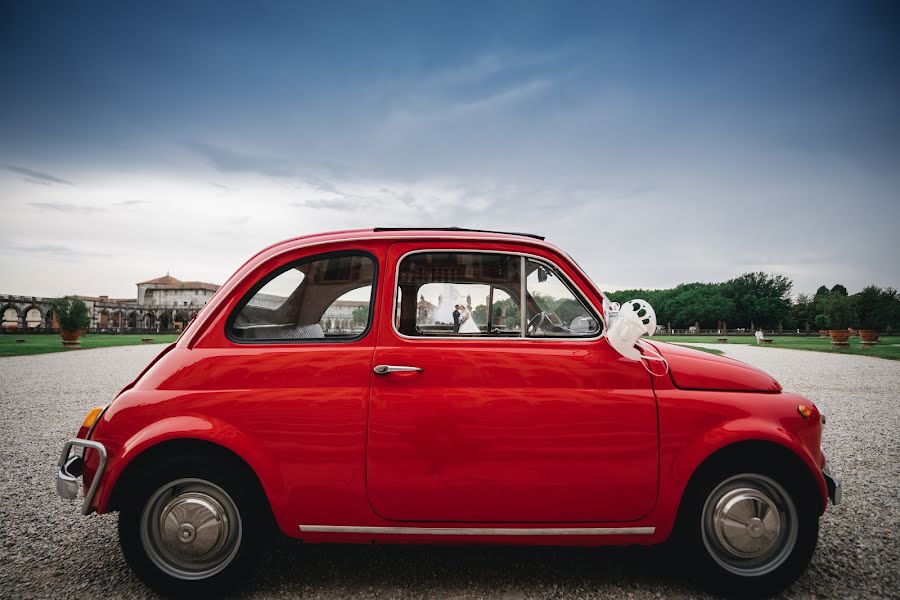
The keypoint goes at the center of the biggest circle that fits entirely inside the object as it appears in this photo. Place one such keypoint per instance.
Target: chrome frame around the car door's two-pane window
(523, 256)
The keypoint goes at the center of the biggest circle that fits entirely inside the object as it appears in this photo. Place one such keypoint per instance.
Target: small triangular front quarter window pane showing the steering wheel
(553, 309)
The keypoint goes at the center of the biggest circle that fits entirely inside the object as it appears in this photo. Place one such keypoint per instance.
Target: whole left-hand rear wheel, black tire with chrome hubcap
(194, 526)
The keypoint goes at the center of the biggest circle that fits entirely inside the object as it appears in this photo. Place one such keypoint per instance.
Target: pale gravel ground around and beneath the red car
(49, 551)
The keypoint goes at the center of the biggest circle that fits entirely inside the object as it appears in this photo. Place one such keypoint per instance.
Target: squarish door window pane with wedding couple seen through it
(458, 294)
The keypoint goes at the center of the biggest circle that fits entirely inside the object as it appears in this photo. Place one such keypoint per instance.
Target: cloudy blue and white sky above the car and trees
(657, 143)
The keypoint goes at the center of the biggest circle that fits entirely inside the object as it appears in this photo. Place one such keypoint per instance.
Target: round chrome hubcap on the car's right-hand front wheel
(749, 524)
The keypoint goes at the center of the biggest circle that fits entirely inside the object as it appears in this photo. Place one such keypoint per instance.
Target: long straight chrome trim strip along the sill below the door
(479, 530)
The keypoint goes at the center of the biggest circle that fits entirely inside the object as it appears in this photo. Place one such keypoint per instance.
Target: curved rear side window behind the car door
(327, 297)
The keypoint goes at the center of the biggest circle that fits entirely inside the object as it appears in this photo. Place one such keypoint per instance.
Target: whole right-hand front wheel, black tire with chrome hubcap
(740, 556)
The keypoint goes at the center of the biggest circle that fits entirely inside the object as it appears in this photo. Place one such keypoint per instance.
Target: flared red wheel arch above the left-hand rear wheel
(195, 427)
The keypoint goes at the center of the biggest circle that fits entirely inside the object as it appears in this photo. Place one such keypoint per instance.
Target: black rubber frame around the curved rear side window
(245, 299)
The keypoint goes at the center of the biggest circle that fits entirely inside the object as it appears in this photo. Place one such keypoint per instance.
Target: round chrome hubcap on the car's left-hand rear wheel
(191, 529)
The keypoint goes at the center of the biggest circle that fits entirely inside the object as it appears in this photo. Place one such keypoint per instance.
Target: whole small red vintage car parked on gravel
(437, 386)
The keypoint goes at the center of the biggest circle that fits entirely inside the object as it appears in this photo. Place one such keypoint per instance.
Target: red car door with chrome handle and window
(506, 425)
